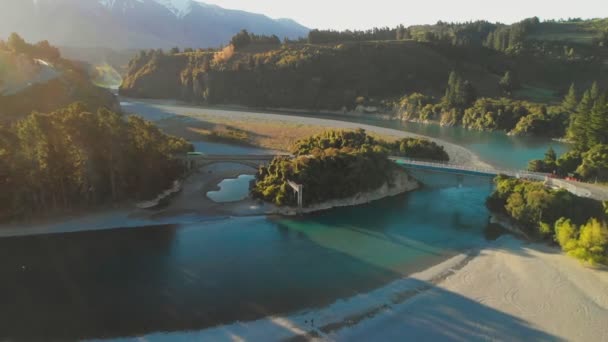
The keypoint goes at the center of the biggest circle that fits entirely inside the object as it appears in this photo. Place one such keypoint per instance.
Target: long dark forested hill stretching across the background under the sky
(340, 69)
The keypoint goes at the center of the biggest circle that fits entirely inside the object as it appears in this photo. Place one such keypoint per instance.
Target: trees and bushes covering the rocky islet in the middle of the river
(337, 164)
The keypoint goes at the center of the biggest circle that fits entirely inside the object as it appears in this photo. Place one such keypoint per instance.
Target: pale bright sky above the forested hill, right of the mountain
(359, 14)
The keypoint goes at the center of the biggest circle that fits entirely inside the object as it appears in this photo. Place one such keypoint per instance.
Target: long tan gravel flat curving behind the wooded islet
(184, 120)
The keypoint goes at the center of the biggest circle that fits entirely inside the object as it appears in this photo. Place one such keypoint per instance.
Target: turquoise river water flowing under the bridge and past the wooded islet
(190, 276)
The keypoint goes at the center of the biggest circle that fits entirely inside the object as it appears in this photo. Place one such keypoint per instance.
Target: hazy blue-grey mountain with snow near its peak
(121, 24)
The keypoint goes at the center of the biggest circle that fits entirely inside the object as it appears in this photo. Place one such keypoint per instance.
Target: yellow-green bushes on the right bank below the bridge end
(572, 221)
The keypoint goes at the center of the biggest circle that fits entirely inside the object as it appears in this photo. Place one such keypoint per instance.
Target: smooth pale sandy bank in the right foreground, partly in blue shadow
(507, 290)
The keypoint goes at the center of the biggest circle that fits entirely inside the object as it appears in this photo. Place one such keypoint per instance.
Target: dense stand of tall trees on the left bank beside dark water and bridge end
(73, 158)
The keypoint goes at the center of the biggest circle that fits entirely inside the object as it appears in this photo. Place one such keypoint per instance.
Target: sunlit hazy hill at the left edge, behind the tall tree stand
(35, 77)
